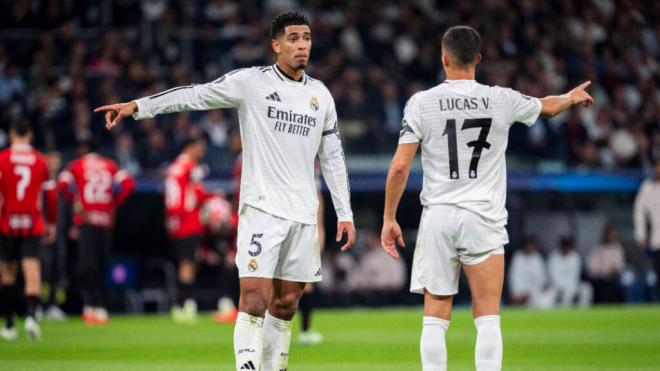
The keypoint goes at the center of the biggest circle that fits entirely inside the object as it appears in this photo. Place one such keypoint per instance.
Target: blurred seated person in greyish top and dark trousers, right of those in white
(604, 266)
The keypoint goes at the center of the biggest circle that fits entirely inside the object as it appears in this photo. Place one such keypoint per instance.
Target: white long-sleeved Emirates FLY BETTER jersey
(284, 125)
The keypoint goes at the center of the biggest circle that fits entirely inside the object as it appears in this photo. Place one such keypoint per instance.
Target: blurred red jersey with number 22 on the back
(89, 182)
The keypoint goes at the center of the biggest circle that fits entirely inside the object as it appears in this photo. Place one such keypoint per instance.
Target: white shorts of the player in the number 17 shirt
(448, 237)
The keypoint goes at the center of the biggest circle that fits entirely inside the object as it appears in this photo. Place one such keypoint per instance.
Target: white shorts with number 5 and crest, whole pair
(272, 247)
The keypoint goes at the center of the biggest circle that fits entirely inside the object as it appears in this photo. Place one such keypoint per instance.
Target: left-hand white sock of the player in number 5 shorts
(248, 341)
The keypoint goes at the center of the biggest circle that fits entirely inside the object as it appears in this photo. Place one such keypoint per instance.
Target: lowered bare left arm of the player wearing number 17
(397, 177)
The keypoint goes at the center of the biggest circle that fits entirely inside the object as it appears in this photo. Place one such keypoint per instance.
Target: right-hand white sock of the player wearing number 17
(488, 352)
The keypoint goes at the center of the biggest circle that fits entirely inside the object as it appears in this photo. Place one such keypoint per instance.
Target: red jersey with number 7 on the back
(23, 177)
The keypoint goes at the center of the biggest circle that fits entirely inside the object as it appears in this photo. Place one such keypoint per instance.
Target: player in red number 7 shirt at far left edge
(23, 177)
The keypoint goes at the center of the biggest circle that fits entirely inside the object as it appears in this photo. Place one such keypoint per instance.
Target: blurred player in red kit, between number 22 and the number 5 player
(184, 196)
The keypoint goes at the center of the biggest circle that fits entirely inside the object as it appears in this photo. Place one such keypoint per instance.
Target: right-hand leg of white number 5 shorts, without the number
(300, 255)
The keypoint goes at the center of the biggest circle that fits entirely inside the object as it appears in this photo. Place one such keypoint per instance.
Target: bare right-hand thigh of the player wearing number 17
(486, 279)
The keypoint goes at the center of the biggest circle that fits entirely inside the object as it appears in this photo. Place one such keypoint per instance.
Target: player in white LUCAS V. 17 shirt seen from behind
(462, 128)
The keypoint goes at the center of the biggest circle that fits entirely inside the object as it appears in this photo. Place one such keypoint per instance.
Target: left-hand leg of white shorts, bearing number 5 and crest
(259, 240)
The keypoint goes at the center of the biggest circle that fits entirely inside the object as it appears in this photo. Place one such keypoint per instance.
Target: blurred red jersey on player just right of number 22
(184, 196)
